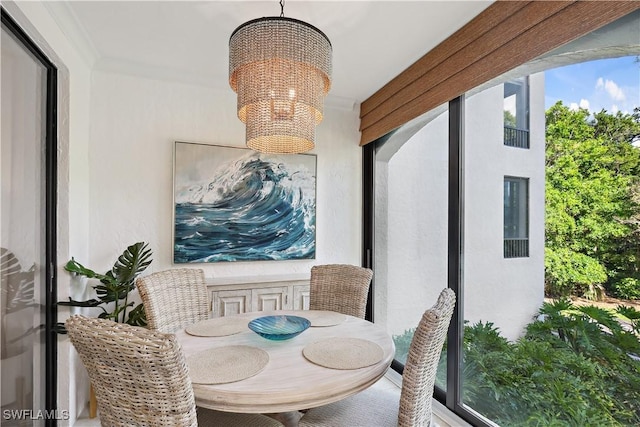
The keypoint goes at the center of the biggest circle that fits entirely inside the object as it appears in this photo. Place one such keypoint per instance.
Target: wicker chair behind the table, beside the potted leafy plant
(174, 298)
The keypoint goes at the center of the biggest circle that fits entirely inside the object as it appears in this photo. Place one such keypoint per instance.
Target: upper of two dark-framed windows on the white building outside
(516, 113)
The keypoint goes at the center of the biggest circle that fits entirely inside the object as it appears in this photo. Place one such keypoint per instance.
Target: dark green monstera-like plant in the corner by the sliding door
(112, 292)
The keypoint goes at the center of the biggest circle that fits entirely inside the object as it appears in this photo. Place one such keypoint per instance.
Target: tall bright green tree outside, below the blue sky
(592, 221)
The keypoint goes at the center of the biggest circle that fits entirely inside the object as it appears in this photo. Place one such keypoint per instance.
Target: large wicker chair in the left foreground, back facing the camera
(140, 377)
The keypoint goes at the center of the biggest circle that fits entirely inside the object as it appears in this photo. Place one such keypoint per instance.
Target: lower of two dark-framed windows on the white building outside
(516, 217)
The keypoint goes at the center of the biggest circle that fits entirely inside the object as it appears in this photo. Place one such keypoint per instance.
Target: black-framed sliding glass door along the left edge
(27, 224)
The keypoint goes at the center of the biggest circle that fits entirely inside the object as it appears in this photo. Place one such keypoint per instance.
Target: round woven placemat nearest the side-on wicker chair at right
(343, 353)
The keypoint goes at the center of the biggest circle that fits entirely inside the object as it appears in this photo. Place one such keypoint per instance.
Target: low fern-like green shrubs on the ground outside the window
(575, 366)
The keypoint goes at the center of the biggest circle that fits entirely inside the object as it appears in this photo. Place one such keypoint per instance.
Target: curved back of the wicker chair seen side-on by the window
(420, 369)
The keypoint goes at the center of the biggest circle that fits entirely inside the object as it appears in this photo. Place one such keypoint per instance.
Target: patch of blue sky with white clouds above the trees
(610, 84)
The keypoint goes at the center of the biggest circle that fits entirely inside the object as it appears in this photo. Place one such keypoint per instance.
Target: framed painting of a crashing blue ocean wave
(235, 204)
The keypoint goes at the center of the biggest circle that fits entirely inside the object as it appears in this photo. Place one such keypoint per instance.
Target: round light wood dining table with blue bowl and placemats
(289, 381)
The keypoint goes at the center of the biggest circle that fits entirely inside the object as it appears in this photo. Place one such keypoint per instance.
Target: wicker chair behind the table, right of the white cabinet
(340, 287)
